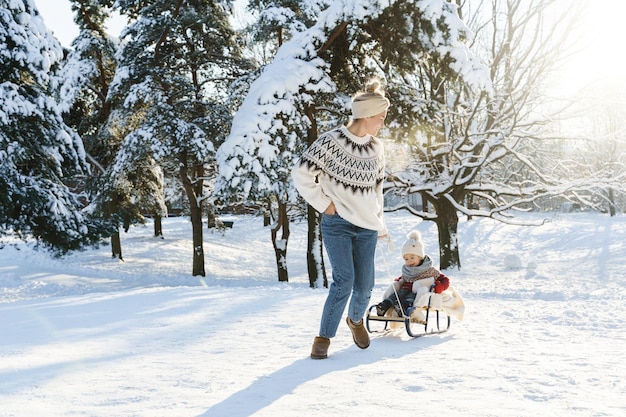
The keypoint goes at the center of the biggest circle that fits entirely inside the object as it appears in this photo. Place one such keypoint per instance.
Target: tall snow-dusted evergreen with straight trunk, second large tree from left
(174, 68)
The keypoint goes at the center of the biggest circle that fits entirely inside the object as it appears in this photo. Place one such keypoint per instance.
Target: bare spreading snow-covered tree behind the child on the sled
(479, 154)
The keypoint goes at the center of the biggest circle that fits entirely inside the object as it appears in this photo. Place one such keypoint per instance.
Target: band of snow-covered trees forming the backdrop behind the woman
(201, 108)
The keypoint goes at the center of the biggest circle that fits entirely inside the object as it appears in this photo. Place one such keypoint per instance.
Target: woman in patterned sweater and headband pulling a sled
(341, 175)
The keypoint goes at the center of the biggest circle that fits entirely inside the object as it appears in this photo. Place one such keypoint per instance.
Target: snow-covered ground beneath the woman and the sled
(90, 335)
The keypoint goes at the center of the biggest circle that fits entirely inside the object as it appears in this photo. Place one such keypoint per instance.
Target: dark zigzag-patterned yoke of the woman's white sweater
(350, 164)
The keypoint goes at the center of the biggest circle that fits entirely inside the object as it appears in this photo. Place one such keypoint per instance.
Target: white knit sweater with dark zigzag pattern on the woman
(347, 170)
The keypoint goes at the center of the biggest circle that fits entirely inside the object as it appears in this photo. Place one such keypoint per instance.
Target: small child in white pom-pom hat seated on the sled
(418, 275)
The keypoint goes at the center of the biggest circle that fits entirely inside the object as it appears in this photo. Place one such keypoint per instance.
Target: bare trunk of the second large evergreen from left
(193, 190)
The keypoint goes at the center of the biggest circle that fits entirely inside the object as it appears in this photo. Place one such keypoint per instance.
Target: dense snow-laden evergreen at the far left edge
(39, 153)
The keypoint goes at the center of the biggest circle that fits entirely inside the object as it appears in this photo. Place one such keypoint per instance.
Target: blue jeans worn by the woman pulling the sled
(351, 251)
